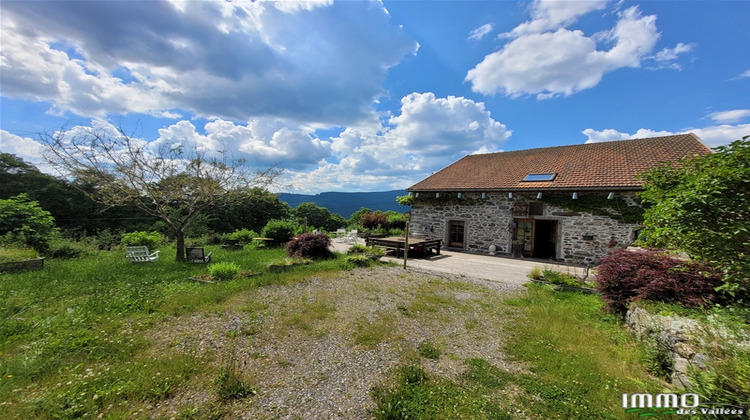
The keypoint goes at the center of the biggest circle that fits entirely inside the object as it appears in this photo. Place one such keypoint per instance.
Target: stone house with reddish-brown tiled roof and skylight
(567, 203)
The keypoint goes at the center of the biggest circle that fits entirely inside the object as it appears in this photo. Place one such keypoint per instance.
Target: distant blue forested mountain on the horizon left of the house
(347, 203)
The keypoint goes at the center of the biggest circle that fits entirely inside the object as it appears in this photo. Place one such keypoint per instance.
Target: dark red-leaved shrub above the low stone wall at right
(626, 276)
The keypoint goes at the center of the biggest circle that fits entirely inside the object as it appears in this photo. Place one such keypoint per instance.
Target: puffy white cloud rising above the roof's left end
(428, 133)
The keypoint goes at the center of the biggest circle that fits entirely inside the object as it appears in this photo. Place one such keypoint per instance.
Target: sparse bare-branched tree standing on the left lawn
(166, 181)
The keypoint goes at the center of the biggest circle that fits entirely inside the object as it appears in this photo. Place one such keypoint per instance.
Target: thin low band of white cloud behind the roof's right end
(712, 136)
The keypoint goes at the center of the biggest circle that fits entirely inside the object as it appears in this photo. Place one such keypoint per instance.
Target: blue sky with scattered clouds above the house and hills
(370, 96)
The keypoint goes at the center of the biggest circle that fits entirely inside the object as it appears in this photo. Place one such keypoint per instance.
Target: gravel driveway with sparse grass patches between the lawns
(315, 349)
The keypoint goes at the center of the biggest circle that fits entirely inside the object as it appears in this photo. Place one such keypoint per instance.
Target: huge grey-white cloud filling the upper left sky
(308, 61)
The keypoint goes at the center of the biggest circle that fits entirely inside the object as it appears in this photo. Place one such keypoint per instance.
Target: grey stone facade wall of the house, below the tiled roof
(581, 237)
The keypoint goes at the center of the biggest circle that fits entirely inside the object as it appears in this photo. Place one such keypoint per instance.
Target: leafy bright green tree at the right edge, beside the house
(702, 206)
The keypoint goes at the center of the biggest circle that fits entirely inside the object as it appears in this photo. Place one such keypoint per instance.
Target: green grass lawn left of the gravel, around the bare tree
(72, 335)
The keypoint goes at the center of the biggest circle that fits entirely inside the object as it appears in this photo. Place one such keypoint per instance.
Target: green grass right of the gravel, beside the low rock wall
(578, 362)
